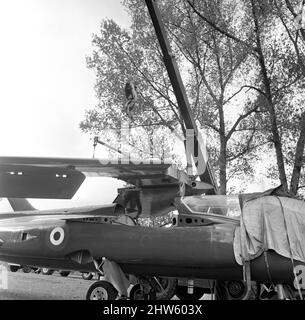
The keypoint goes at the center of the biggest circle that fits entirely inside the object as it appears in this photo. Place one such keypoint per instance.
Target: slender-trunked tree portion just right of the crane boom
(216, 63)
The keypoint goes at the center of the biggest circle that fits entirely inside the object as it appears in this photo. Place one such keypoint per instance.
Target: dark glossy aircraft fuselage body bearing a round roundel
(53, 241)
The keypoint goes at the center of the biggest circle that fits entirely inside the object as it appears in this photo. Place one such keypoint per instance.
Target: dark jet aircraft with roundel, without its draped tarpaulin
(200, 244)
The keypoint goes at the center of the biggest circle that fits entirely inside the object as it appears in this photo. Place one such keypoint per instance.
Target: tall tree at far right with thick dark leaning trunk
(277, 68)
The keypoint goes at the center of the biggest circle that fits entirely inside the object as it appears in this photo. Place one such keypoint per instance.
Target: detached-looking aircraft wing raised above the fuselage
(60, 178)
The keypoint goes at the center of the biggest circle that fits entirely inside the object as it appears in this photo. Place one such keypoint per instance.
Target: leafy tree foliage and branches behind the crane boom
(242, 63)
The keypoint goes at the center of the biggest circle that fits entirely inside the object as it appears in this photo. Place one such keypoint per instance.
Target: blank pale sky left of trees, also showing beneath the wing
(45, 86)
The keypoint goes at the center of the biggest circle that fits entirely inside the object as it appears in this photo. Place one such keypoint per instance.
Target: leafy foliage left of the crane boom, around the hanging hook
(119, 57)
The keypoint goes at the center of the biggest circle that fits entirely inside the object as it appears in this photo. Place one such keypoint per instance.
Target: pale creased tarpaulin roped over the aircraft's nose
(271, 223)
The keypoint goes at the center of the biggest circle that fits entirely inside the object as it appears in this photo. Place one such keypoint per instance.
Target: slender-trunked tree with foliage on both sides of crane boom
(212, 66)
